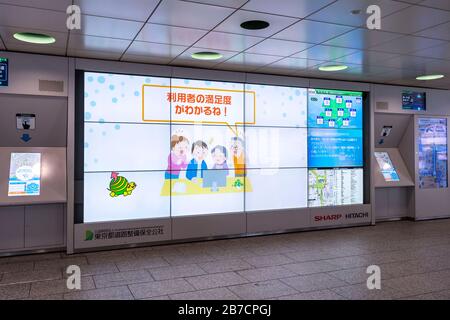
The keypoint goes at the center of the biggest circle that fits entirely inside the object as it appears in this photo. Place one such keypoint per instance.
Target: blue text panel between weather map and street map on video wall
(333, 148)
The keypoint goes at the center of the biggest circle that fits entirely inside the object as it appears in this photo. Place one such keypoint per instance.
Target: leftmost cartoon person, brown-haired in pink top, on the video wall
(177, 159)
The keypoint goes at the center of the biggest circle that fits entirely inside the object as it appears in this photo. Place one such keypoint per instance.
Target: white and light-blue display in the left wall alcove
(25, 174)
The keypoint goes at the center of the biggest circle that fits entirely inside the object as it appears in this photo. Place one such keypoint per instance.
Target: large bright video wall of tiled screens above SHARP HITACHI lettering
(161, 147)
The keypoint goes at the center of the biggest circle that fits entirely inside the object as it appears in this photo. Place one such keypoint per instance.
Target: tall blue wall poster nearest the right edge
(432, 145)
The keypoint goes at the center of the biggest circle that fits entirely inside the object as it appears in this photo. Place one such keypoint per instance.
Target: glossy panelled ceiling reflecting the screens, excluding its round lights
(303, 34)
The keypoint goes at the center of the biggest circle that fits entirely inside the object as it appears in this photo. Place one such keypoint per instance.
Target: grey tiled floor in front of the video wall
(414, 258)
